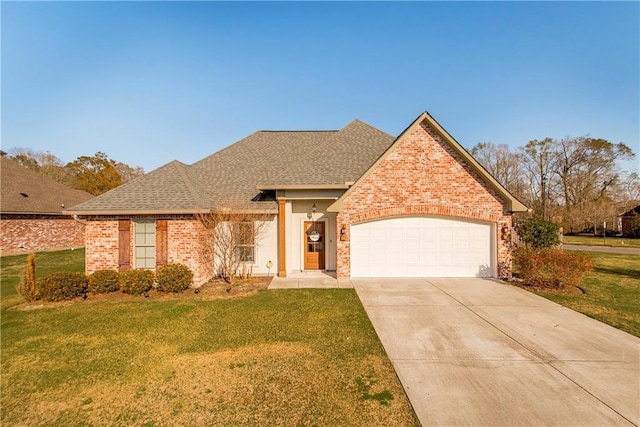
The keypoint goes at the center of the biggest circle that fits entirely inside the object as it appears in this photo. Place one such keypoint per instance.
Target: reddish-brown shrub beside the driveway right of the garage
(551, 267)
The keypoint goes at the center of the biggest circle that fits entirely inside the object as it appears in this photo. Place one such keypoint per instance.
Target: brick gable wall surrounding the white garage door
(423, 175)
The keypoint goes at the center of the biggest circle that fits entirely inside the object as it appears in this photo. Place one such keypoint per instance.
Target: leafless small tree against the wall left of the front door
(230, 241)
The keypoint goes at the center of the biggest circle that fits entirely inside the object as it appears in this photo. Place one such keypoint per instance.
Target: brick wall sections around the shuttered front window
(183, 246)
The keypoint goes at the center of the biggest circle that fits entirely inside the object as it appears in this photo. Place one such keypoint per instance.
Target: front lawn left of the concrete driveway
(288, 357)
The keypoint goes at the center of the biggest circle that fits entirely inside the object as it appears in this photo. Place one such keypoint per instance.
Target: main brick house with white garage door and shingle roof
(356, 201)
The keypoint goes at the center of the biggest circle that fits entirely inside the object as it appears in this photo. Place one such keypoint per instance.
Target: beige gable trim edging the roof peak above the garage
(513, 204)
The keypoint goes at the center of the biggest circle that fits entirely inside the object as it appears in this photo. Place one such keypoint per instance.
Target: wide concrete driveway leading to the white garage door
(476, 352)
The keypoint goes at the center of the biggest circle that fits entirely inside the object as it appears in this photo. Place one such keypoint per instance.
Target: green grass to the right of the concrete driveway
(612, 292)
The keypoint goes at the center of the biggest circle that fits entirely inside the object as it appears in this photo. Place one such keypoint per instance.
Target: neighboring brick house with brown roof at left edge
(32, 211)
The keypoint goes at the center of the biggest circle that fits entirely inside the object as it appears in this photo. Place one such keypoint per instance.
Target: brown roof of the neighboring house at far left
(23, 191)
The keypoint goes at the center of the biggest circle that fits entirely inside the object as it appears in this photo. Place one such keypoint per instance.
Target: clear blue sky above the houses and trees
(149, 82)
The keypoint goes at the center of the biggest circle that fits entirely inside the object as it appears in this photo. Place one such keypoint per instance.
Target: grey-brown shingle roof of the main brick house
(231, 177)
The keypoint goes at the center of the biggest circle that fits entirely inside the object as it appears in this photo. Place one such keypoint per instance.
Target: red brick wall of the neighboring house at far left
(29, 233)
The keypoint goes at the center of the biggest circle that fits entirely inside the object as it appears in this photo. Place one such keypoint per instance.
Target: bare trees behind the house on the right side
(576, 183)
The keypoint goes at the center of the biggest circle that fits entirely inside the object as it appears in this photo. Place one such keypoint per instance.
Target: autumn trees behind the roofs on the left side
(95, 174)
